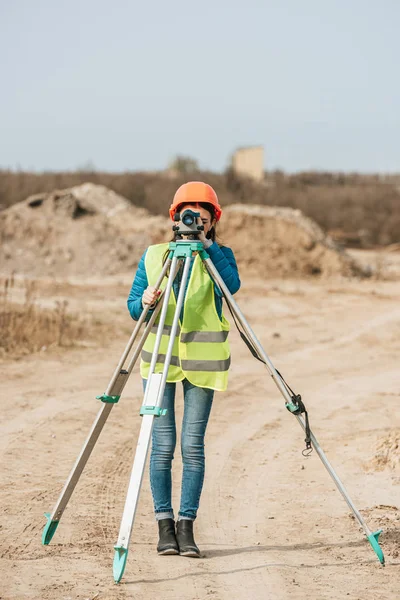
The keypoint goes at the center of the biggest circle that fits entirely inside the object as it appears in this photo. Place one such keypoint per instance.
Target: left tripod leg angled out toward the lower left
(110, 397)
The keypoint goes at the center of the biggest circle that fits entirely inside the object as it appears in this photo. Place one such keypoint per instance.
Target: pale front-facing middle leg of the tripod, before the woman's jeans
(152, 407)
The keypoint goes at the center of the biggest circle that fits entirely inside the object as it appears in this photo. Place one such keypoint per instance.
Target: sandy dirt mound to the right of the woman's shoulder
(275, 241)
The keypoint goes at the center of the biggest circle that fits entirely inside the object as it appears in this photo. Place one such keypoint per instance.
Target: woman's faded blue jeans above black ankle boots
(197, 408)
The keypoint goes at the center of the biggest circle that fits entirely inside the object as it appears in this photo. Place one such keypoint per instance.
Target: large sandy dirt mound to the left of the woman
(84, 230)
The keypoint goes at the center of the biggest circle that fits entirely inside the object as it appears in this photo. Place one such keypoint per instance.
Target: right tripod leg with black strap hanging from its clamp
(372, 537)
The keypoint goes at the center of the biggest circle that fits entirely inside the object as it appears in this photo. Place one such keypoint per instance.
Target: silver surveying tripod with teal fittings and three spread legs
(180, 251)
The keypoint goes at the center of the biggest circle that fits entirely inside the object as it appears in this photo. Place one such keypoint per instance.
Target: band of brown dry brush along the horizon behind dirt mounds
(364, 208)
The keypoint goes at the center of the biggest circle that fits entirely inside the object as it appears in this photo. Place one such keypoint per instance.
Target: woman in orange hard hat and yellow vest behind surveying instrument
(200, 361)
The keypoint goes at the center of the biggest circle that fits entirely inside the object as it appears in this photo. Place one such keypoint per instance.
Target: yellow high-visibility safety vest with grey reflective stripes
(201, 350)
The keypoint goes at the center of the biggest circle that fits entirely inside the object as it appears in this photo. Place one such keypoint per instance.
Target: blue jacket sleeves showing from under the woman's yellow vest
(223, 260)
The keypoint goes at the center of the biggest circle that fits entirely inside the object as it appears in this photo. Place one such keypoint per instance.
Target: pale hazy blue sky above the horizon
(128, 85)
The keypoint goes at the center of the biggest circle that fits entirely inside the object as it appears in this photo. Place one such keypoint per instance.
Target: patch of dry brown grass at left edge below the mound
(25, 327)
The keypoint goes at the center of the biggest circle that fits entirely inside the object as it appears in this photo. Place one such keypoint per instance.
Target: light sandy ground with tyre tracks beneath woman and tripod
(271, 523)
